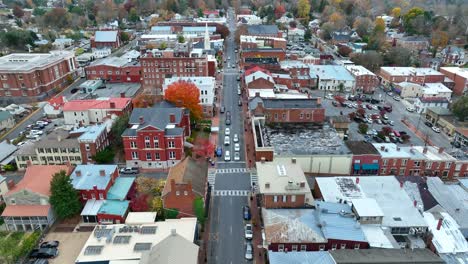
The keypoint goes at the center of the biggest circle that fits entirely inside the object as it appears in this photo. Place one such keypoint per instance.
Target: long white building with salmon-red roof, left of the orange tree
(92, 111)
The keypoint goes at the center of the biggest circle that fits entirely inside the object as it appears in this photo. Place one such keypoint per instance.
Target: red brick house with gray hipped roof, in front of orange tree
(156, 136)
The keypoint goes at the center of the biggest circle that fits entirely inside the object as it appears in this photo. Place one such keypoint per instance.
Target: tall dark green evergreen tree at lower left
(64, 198)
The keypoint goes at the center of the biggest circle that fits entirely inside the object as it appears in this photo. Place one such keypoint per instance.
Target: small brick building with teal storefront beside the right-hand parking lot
(366, 159)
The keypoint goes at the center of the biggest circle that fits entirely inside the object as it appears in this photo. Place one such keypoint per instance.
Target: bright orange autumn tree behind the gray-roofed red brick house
(185, 94)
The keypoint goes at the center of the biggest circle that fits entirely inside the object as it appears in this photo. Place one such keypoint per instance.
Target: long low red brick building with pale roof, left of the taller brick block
(114, 69)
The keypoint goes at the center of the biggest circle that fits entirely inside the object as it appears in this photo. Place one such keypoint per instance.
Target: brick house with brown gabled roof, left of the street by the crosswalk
(185, 182)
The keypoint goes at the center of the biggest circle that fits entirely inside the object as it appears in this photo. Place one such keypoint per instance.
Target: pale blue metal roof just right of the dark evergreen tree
(85, 177)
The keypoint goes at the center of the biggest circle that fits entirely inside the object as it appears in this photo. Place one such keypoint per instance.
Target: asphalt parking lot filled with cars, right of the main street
(398, 113)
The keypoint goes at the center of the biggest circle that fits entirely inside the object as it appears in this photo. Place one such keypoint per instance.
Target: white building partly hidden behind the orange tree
(206, 85)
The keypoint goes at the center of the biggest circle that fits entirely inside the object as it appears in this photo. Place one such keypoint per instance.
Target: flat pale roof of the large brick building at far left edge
(25, 62)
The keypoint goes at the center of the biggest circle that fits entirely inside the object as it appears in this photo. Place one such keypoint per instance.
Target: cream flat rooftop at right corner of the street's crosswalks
(282, 178)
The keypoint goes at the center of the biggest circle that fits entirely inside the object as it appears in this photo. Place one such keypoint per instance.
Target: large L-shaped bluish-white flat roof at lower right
(398, 208)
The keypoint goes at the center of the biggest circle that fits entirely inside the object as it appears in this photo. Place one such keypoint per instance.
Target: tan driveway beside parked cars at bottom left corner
(70, 245)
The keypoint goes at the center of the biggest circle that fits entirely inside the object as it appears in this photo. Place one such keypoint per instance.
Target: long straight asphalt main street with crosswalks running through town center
(232, 181)
